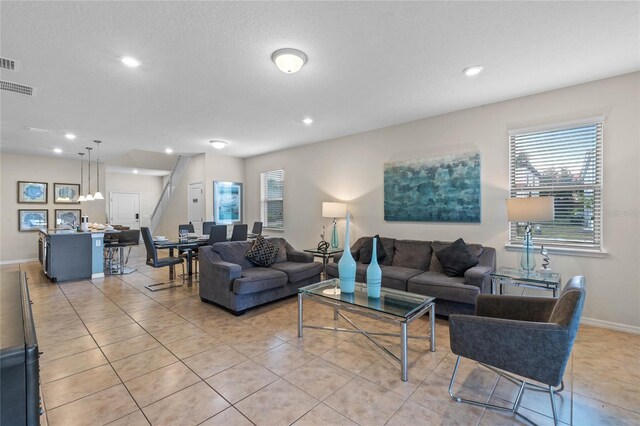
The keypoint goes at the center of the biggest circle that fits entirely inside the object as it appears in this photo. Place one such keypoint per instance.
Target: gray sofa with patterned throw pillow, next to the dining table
(229, 279)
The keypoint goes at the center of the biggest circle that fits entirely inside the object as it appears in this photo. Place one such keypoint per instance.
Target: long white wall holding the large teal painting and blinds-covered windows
(351, 169)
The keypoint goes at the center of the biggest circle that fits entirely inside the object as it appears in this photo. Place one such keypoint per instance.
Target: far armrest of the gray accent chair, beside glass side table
(515, 307)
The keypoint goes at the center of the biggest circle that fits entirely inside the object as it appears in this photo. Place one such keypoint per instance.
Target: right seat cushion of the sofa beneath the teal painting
(442, 287)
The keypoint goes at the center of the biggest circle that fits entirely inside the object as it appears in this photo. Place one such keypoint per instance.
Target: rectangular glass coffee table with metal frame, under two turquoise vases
(393, 306)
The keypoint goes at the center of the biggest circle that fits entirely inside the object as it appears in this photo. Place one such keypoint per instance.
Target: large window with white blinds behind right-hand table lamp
(566, 163)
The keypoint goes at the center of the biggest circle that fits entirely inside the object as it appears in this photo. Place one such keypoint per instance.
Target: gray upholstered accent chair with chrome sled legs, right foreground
(531, 337)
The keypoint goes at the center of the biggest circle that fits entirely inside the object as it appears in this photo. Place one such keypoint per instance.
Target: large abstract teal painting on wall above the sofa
(437, 189)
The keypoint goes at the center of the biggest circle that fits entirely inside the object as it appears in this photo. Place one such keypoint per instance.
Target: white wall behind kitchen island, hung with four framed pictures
(16, 245)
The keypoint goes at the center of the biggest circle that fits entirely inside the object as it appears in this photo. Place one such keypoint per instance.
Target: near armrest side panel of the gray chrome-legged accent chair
(536, 350)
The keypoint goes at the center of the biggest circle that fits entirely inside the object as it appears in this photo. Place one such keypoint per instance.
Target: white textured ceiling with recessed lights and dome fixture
(207, 74)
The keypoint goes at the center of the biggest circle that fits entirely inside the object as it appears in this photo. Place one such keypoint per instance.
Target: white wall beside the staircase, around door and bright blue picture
(202, 168)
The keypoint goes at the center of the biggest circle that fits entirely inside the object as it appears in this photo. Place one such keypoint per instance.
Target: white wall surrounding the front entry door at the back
(149, 187)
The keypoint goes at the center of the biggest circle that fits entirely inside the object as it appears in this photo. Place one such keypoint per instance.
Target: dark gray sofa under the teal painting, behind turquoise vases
(412, 265)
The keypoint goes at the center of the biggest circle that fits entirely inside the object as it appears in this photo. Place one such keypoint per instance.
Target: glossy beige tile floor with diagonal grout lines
(116, 353)
